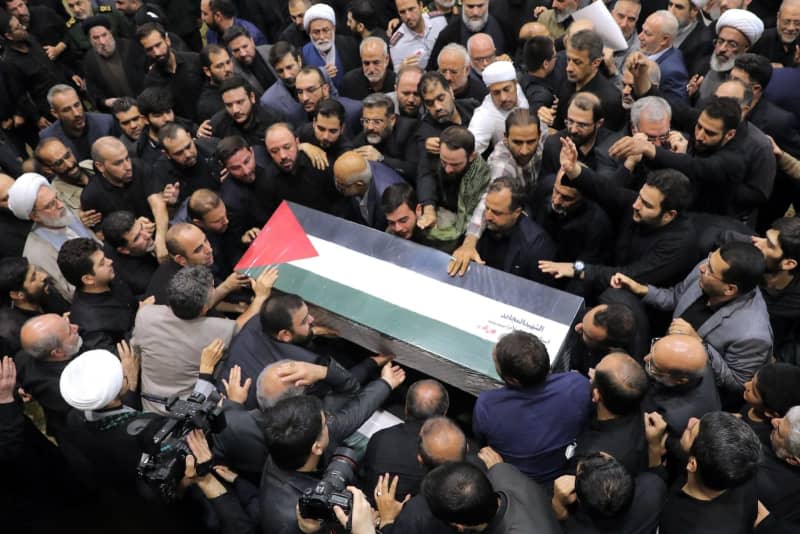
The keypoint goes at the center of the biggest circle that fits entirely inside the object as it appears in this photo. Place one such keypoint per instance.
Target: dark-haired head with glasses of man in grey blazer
(733, 270)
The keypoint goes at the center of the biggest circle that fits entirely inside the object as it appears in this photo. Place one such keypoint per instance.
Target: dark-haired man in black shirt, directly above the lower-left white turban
(104, 310)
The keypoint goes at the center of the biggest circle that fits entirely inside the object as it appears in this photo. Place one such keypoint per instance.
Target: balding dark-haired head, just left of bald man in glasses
(619, 383)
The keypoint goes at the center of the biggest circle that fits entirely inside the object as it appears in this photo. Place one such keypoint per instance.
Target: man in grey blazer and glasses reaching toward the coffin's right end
(719, 304)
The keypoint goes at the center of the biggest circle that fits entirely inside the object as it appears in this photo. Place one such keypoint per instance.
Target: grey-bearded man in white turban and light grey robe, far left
(32, 198)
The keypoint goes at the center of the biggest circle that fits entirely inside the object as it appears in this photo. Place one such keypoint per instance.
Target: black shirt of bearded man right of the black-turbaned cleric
(184, 84)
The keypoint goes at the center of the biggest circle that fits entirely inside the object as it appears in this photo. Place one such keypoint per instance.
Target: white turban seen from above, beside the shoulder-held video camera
(92, 380)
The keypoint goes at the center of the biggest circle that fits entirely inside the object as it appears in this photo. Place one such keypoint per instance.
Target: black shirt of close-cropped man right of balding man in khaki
(101, 195)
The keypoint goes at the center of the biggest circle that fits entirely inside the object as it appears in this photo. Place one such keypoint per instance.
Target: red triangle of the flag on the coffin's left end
(280, 241)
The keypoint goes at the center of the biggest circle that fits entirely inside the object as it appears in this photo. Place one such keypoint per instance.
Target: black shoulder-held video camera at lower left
(164, 458)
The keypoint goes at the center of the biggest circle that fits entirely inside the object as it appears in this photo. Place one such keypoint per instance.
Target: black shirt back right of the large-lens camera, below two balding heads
(394, 450)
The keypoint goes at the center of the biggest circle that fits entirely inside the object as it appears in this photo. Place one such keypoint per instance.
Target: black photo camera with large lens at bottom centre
(318, 502)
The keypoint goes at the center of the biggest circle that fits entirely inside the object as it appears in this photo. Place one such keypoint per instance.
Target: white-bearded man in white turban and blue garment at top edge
(337, 54)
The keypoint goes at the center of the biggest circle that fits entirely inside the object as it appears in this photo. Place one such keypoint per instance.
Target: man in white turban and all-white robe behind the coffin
(505, 94)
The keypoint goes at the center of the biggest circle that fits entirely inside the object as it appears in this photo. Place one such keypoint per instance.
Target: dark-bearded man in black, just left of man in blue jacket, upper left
(243, 115)
